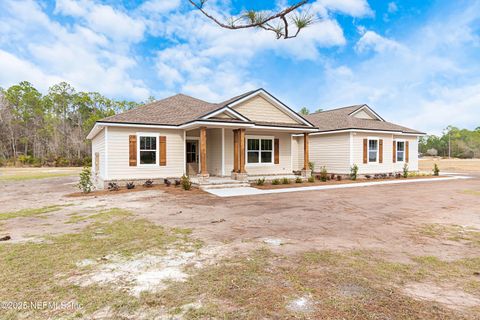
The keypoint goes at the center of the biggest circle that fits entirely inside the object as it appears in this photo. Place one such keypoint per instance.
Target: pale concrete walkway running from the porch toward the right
(249, 191)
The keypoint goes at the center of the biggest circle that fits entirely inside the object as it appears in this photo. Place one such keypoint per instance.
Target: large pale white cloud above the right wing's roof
(427, 80)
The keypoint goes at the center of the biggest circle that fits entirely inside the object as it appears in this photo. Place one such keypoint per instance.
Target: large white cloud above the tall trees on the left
(77, 54)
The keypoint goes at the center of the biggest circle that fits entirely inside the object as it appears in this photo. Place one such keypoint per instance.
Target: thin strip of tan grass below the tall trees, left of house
(22, 174)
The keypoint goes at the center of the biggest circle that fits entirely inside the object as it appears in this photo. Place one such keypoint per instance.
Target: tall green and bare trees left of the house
(50, 129)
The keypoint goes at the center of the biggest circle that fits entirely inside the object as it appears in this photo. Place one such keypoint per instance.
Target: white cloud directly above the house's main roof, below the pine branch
(220, 60)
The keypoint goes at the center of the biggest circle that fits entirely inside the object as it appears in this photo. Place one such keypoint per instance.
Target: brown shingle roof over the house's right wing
(341, 119)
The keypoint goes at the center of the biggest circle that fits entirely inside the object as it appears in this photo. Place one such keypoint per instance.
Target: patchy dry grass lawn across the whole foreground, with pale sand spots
(93, 268)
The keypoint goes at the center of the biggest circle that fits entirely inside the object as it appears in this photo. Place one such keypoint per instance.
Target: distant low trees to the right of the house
(454, 142)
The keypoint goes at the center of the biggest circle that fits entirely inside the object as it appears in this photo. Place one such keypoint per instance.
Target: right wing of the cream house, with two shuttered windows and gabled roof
(358, 135)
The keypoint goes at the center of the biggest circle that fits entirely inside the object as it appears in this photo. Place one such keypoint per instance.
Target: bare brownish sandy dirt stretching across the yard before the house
(385, 219)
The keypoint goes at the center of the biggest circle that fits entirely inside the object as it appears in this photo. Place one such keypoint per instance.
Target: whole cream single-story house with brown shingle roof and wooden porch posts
(251, 135)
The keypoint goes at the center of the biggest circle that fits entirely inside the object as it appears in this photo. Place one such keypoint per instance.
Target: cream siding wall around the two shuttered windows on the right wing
(387, 165)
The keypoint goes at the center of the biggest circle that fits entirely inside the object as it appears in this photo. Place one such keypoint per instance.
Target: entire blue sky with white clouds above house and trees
(417, 63)
